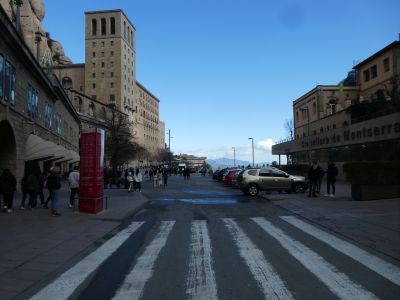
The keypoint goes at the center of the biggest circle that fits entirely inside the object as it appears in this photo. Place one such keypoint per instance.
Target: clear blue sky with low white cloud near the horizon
(229, 70)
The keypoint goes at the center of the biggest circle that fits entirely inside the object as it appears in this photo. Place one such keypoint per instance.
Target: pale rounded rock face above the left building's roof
(32, 13)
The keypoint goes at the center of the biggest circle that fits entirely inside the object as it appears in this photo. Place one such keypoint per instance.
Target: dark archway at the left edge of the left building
(8, 149)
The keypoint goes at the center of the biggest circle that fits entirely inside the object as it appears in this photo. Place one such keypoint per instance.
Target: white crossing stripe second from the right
(339, 283)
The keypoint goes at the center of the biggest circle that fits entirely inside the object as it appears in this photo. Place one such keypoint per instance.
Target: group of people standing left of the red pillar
(33, 185)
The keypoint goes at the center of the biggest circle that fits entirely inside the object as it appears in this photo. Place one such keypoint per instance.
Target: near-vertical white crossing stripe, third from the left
(201, 284)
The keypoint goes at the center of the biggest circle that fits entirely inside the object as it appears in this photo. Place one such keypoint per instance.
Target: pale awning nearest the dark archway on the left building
(38, 149)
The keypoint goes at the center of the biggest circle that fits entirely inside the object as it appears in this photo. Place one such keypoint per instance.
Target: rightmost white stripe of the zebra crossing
(376, 264)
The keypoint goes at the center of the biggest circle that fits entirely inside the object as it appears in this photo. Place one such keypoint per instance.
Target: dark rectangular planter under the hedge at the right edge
(361, 192)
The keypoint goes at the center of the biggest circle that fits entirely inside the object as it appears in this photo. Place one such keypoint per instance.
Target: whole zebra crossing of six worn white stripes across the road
(202, 276)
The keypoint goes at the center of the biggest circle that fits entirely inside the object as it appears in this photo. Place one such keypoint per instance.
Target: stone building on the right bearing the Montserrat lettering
(350, 123)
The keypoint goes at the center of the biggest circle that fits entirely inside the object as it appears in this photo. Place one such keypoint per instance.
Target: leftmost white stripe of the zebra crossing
(66, 283)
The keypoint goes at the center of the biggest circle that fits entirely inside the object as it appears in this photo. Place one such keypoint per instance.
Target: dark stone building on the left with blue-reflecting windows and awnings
(38, 124)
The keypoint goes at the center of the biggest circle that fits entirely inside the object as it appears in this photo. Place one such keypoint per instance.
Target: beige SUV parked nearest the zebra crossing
(253, 180)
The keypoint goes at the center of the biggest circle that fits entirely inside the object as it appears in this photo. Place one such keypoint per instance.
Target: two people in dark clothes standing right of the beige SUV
(316, 174)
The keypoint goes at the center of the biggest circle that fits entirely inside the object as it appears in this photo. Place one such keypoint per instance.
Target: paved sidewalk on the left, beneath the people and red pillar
(35, 245)
